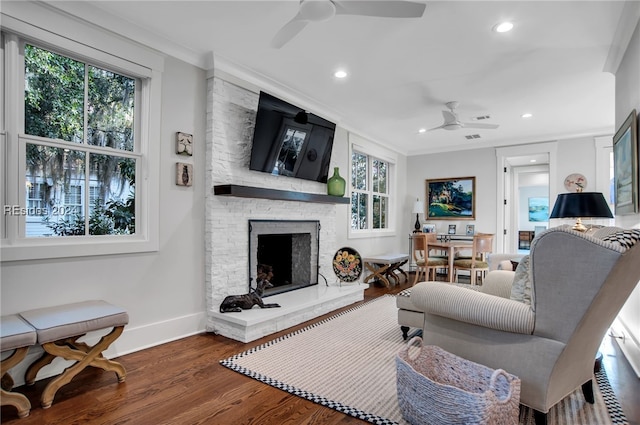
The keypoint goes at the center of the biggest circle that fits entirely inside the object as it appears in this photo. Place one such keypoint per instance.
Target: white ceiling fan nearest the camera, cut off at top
(322, 10)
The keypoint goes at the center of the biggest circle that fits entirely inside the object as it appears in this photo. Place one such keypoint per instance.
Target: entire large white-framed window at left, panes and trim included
(77, 131)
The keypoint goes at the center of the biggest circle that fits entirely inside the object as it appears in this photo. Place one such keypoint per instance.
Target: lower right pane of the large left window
(112, 192)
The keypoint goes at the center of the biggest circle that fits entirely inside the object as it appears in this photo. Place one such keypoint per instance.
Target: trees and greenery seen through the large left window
(79, 147)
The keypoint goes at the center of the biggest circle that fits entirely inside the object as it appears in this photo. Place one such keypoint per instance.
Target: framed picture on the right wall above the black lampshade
(625, 166)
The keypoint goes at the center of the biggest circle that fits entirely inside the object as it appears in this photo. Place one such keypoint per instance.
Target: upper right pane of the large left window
(110, 117)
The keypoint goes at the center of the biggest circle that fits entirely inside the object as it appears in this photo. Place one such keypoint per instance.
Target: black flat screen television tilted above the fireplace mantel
(288, 141)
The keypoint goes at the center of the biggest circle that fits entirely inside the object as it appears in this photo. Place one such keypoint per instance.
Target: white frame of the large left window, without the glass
(130, 60)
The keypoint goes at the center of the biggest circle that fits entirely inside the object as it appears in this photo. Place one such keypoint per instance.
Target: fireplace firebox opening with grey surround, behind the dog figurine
(290, 248)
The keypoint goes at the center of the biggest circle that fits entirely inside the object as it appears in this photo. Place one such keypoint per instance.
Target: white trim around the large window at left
(149, 69)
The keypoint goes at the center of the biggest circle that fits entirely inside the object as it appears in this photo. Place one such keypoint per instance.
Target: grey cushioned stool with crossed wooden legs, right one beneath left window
(59, 328)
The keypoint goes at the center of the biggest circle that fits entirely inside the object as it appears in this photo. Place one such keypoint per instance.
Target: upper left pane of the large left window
(54, 95)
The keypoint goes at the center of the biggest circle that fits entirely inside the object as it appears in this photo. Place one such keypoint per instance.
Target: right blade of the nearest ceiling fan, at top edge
(383, 9)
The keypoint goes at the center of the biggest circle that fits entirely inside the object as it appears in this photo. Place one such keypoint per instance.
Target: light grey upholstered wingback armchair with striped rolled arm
(563, 298)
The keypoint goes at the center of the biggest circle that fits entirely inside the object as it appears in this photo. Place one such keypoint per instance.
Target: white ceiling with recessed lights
(402, 71)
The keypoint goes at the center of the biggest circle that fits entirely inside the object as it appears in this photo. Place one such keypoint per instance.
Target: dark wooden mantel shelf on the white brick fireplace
(275, 194)
